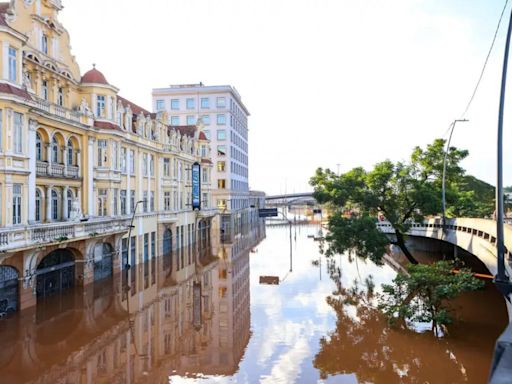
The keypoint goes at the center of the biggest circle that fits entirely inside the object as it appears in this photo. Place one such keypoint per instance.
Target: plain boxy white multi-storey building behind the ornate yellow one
(221, 112)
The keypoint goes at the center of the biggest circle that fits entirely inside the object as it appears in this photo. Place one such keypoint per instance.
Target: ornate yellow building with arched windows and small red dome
(77, 160)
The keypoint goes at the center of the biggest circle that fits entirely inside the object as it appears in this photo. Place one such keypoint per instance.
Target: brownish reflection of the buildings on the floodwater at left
(140, 325)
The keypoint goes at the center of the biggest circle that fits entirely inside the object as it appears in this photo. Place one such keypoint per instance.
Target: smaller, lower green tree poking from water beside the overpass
(423, 294)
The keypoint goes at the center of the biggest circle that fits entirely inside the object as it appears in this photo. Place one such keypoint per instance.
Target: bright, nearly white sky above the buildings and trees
(327, 82)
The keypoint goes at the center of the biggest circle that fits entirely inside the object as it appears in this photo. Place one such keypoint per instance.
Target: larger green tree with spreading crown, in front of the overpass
(403, 192)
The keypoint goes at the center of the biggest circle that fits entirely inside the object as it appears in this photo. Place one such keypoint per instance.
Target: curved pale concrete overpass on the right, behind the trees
(477, 236)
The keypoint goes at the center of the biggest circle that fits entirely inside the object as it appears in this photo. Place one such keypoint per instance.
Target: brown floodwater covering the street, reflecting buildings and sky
(318, 325)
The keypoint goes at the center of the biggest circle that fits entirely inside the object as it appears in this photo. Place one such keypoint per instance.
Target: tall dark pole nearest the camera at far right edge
(501, 279)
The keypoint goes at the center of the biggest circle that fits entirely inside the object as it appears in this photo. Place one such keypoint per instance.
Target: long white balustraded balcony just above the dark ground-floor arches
(38, 234)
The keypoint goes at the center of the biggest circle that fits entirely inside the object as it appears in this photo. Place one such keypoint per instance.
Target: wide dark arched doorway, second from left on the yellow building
(55, 273)
